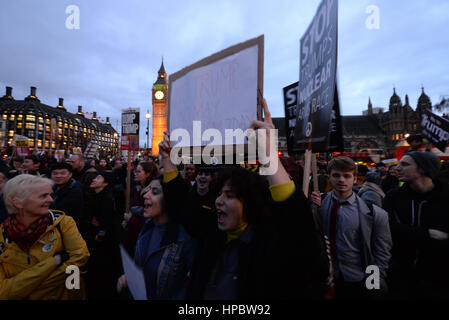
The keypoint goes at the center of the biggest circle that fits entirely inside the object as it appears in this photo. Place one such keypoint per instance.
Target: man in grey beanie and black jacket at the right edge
(419, 220)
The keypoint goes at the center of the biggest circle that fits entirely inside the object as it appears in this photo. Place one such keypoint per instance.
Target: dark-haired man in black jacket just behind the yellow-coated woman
(68, 193)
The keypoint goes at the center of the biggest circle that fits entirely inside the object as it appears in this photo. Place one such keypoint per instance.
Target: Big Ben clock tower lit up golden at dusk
(160, 109)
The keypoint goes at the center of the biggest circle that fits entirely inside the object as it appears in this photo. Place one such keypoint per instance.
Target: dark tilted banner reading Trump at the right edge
(435, 129)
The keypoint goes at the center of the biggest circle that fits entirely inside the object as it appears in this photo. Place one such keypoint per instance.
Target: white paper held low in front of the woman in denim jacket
(134, 277)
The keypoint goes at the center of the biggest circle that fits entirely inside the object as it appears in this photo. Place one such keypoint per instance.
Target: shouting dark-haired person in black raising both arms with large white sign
(260, 243)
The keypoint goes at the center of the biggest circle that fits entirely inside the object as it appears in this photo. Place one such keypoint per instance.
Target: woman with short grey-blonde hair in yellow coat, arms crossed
(38, 245)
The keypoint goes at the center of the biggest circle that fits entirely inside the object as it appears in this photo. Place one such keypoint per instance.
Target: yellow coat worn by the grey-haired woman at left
(35, 276)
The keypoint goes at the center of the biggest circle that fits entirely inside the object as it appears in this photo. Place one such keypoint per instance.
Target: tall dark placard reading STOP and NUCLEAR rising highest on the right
(318, 65)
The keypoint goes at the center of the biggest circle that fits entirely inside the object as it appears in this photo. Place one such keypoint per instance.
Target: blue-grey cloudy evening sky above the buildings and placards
(111, 62)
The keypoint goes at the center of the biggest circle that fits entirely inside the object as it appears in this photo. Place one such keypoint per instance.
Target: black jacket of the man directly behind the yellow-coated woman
(70, 200)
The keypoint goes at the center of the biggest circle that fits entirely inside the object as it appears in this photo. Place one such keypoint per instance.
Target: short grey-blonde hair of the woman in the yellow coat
(20, 187)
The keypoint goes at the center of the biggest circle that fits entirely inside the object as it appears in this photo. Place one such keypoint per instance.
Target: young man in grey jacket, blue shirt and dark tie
(359, 236)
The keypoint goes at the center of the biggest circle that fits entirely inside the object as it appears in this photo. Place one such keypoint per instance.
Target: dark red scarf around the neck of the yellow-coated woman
(25, 237)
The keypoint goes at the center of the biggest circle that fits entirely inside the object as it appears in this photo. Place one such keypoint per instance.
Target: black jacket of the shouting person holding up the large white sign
(282, 259)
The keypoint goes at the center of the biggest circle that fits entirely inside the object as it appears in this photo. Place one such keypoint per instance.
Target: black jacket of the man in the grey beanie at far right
(416, 256)
